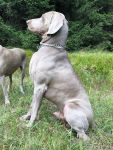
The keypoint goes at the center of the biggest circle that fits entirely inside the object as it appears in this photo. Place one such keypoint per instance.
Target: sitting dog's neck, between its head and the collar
(57, 40)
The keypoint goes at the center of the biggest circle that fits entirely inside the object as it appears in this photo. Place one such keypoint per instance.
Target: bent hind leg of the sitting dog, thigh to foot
(77, 119)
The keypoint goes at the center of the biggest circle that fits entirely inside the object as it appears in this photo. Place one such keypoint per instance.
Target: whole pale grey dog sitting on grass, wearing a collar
(53, 75)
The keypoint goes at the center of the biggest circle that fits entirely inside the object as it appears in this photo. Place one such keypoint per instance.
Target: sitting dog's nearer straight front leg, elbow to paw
(39, 90)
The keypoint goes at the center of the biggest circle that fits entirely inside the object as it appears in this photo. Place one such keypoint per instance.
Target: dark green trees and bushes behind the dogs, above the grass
(90, 21)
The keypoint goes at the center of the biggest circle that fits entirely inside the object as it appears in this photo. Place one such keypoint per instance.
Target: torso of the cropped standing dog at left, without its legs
(11, 59)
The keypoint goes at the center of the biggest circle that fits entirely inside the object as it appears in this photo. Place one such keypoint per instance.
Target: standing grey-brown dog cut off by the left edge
(10, 61)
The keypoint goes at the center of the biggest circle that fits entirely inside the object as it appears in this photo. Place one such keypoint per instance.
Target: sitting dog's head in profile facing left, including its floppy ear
(48, 24)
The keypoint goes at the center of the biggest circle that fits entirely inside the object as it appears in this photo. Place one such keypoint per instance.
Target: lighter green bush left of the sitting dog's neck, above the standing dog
(12, 37)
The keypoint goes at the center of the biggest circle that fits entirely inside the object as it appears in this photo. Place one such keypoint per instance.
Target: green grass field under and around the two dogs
(95, 71)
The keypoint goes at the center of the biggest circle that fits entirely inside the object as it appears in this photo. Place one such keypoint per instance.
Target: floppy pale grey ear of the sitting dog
(56, 23)
